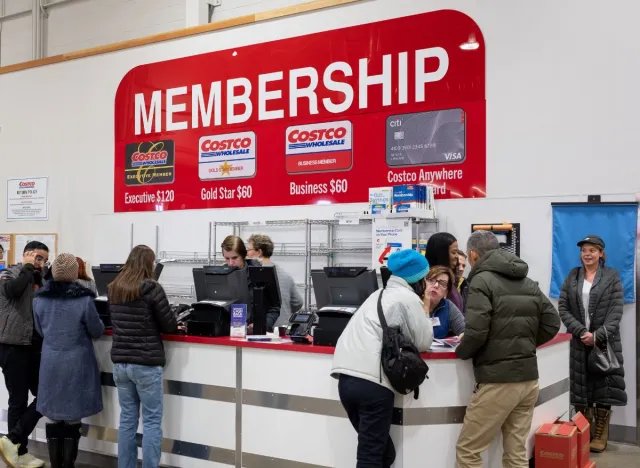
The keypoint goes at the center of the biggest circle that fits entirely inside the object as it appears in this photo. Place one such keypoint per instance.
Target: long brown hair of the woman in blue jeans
(139, 267)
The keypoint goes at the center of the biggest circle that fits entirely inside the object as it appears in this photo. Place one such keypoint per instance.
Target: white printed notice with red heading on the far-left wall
(27, 199)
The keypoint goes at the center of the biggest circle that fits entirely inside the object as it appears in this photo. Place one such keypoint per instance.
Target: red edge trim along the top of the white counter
(227, 341)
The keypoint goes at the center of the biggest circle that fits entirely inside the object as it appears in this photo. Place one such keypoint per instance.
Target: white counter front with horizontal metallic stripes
(242, 406)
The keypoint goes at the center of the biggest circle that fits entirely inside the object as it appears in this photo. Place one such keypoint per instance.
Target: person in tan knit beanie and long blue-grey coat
(66, 318)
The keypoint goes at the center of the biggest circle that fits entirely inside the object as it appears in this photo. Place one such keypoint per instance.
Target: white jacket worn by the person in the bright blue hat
(358, 350)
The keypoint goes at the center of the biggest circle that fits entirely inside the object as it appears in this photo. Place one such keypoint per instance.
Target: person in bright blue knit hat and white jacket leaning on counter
(365, 392)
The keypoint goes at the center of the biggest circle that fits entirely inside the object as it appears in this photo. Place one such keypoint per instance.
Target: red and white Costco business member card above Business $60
(322, 147)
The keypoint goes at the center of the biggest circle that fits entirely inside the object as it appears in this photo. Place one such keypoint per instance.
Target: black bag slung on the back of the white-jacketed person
(400, 359)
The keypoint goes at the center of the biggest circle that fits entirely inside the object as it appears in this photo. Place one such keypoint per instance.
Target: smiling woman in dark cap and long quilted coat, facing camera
(590, 306)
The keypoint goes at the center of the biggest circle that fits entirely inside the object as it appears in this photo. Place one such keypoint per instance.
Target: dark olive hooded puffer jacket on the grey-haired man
(508, 317)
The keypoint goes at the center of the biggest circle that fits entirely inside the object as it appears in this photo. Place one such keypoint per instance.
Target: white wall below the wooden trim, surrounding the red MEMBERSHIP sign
(561, 117)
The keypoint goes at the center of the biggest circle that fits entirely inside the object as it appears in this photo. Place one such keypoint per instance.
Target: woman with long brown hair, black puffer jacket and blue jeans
(139, 311)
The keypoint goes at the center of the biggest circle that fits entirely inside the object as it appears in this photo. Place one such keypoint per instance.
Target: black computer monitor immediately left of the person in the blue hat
(343, 286)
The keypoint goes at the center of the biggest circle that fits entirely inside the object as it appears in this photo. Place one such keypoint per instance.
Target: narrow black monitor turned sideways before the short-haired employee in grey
(266, 295)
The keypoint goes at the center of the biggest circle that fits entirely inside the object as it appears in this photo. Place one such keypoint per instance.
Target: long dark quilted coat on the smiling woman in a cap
(605, 311)
